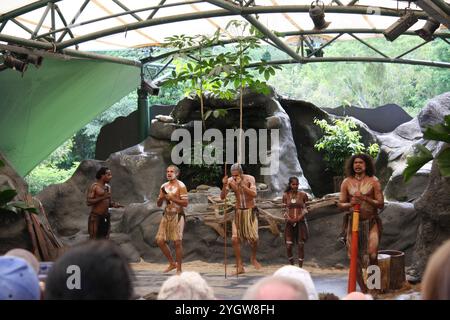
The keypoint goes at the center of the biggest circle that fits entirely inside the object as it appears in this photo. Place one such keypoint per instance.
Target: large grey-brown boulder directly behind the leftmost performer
(138, 173)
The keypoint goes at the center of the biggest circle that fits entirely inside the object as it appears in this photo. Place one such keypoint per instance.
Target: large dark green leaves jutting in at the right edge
(438, 132)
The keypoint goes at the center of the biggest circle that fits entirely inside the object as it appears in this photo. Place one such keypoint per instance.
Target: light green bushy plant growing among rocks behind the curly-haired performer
(340, 141)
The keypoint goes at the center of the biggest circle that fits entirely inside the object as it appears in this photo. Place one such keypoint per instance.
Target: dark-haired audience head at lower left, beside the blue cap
(96, 270)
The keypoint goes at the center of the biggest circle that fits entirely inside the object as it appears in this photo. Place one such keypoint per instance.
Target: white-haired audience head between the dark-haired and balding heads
(188, 285)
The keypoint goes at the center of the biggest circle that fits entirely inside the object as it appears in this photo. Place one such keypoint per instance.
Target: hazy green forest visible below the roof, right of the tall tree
(367, 85)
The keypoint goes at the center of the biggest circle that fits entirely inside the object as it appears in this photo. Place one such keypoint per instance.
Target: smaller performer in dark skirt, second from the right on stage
(294, 211)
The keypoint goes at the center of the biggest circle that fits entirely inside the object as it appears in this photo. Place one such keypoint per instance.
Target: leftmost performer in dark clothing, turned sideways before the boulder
(99, 198)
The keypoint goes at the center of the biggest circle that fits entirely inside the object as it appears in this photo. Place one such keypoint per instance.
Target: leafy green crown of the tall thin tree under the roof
(224, 73)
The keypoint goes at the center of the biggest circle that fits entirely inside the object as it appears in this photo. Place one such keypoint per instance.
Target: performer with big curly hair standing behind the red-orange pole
(362, 187)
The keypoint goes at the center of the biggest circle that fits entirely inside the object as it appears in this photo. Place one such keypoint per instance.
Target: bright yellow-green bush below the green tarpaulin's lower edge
(47, 174)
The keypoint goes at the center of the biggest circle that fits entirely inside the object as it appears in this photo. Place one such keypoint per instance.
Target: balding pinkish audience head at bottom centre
(276, 288)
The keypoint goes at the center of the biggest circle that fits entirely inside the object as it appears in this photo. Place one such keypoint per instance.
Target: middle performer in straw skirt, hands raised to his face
(245, 222)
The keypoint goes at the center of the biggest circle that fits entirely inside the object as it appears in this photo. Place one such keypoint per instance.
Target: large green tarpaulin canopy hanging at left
(45, 107)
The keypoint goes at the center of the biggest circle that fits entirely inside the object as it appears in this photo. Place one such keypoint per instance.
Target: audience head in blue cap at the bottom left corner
(18, 280)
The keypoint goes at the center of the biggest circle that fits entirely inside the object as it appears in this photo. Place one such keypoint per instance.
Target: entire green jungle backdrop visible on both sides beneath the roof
(365, 85)
